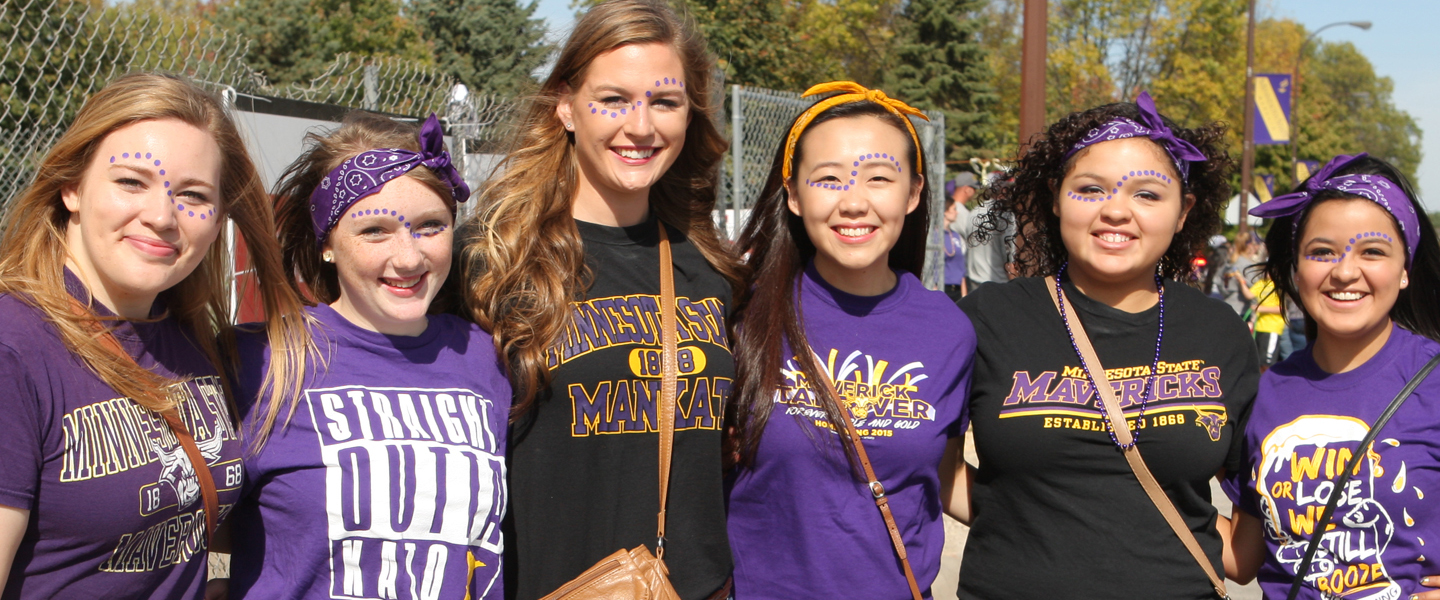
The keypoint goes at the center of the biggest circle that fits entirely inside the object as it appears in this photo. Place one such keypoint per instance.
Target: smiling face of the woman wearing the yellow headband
(853, 189)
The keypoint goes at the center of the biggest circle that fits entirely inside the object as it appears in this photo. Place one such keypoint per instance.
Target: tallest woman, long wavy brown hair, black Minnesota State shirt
(564, 267)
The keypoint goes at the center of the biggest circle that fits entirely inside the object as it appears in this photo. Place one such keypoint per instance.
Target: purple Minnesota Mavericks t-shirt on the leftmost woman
(116, 507)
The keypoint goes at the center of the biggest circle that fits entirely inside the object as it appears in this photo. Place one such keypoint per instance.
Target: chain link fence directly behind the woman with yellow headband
(761, 120)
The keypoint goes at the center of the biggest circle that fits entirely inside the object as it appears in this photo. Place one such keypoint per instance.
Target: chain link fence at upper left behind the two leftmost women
(60, 53)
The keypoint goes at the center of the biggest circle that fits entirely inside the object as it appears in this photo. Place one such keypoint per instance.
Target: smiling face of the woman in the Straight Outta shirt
(392, 253)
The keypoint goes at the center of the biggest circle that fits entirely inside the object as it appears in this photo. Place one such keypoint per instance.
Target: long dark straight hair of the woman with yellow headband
(770, 319)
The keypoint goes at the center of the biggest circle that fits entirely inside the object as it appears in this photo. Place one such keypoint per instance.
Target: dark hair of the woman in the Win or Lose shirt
(1418, 309)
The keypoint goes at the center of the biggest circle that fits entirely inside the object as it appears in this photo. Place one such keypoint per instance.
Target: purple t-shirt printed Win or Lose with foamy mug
(1304, 428)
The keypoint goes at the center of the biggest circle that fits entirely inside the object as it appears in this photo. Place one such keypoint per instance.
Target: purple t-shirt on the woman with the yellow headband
(801, 526)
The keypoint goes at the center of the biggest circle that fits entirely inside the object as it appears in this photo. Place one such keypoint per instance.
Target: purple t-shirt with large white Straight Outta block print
(390, 481)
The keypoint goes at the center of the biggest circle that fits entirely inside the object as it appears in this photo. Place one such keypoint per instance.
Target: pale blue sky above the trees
(1403, 45)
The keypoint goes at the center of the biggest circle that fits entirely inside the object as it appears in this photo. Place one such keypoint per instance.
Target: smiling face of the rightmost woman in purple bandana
(1351, 268)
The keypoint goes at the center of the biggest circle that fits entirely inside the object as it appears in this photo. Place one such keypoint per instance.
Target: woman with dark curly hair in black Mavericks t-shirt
(1112, 205)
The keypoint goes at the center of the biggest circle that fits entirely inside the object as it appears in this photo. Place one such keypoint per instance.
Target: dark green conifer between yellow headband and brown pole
(940, 65)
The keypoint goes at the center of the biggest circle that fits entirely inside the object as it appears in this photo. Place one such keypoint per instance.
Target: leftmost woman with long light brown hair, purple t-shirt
(114, 319)
